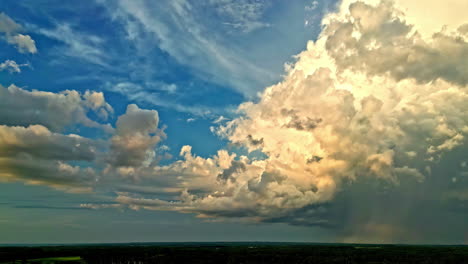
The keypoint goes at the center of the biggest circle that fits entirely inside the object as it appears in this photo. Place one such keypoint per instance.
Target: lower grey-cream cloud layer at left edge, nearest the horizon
(37, 156)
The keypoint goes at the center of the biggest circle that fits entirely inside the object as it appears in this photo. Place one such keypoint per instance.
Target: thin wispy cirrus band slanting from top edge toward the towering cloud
(179, 29)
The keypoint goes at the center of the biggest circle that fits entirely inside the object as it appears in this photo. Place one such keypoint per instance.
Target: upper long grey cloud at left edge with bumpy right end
(52, 110)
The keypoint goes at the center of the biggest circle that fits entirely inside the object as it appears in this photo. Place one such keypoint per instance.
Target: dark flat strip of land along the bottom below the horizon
(237, 253)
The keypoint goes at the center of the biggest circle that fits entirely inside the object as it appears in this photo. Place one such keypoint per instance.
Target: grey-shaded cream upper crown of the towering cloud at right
(384, 46)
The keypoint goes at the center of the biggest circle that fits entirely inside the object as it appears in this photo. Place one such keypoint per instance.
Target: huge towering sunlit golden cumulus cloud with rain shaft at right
(370, 122)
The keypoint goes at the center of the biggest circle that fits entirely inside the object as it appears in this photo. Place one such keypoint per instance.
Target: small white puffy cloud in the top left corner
(24, 43)
